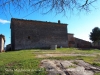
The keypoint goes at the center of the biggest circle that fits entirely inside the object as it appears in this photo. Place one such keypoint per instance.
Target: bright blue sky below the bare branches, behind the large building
(79, 24)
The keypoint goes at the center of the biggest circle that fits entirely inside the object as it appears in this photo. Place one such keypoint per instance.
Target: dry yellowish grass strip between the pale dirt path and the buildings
(68, 51)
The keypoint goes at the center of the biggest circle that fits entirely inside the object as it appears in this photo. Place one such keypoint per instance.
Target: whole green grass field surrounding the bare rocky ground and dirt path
(25, 62)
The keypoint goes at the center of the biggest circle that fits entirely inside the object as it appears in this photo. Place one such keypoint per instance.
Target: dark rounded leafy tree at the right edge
(95, 34)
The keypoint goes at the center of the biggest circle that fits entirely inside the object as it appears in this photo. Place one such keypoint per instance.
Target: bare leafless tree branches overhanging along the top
(46, 6)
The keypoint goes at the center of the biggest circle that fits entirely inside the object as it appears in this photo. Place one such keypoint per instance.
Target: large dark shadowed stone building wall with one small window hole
(28, 34)
